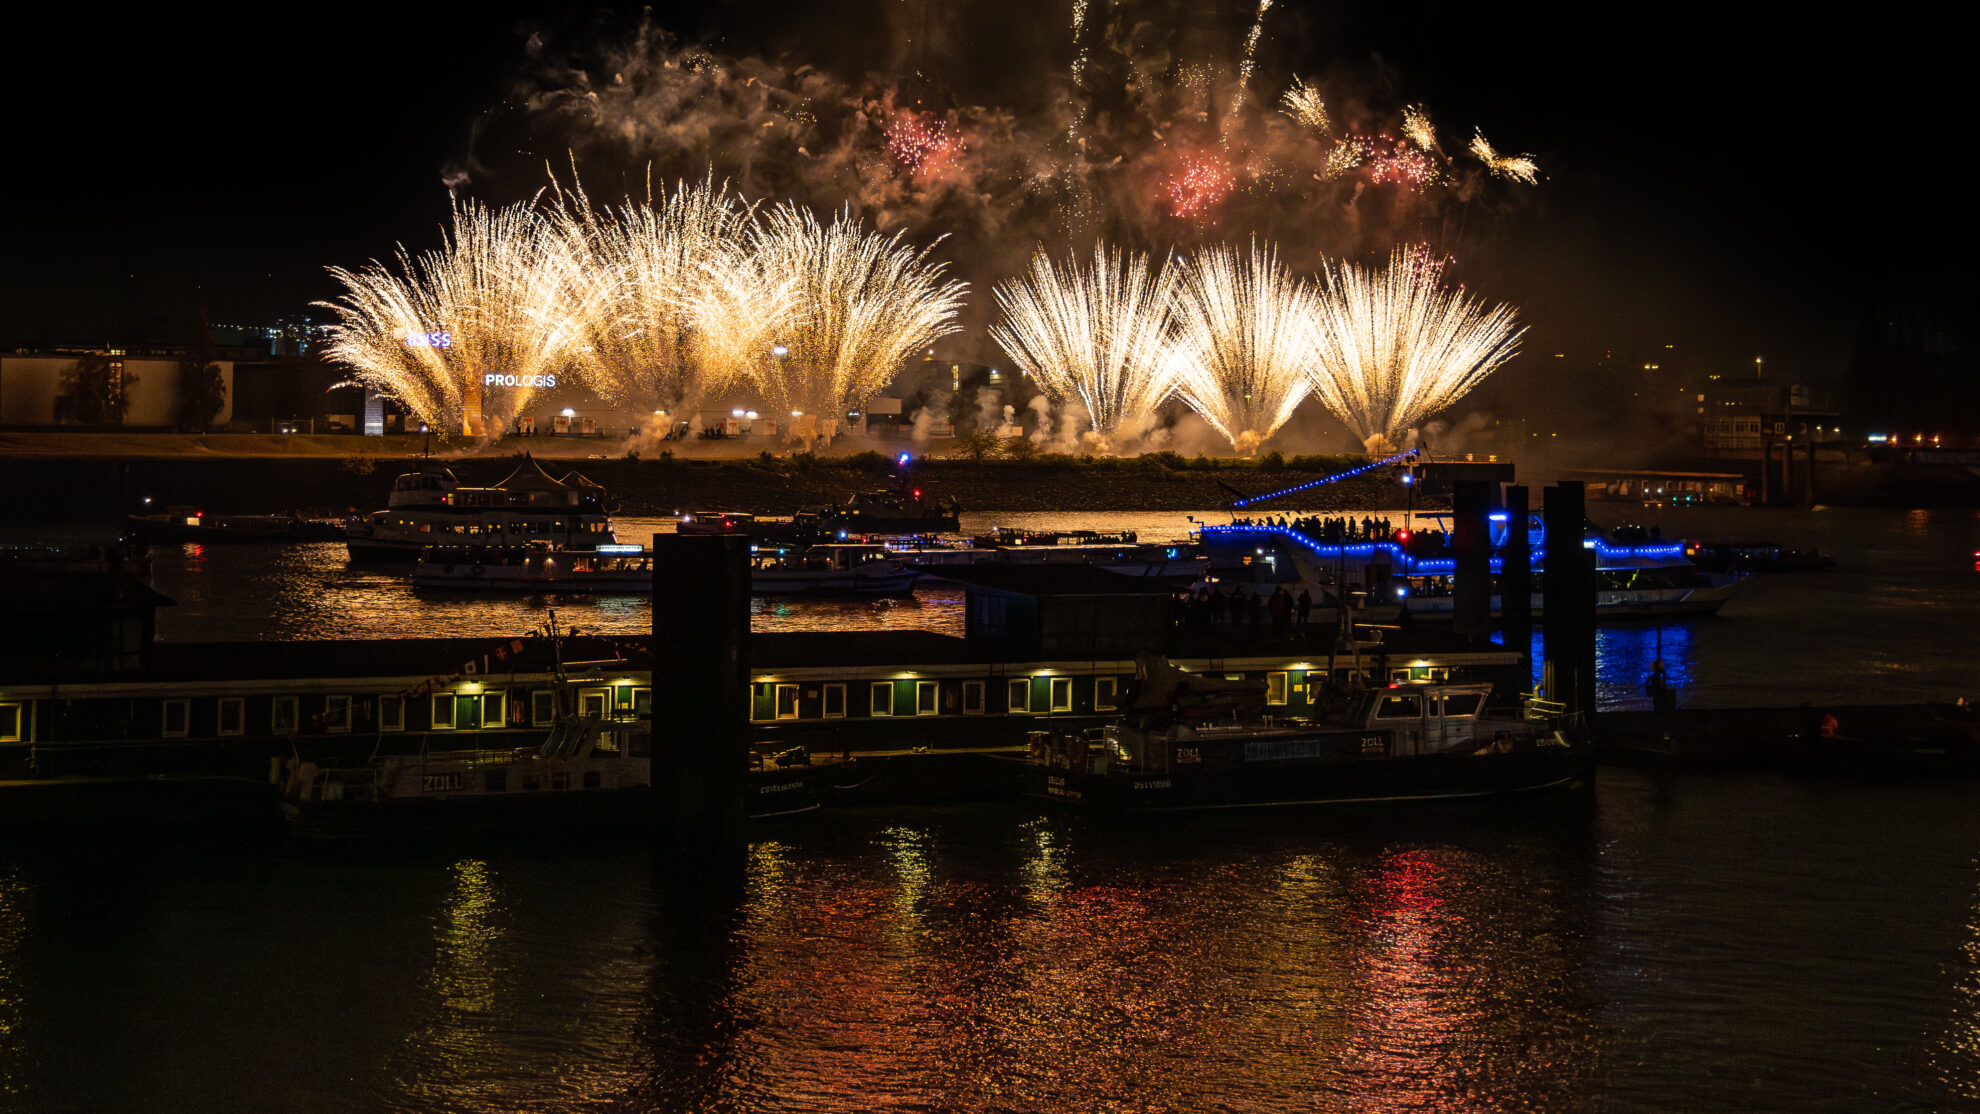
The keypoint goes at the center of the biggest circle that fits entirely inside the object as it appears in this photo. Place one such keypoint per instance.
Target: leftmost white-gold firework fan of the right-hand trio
(1092, 333)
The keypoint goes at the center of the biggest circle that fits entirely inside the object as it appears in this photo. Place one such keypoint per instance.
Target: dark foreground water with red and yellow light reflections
(1664, 943)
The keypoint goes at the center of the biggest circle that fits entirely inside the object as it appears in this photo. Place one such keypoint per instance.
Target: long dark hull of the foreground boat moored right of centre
(1389, 781)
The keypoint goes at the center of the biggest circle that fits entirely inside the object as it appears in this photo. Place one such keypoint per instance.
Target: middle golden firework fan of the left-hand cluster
(644, 276)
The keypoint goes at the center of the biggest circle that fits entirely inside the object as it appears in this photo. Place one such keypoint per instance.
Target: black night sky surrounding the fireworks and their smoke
(1735, 185)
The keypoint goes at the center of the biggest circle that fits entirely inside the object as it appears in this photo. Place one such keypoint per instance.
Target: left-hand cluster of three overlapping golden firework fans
(643, 306)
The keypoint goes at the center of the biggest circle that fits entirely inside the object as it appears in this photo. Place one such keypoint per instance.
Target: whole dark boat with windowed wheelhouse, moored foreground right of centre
(1199, 743)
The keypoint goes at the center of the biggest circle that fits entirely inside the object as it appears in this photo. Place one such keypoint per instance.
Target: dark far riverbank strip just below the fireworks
(326, 486)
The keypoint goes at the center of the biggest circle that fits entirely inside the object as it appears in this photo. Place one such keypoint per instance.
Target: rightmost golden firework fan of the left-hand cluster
(848, 312)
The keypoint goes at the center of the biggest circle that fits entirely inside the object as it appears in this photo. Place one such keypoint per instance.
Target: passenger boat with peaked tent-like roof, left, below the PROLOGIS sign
(433, 510)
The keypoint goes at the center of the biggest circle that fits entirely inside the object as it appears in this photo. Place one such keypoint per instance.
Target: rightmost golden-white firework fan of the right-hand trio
(1395, 347)
